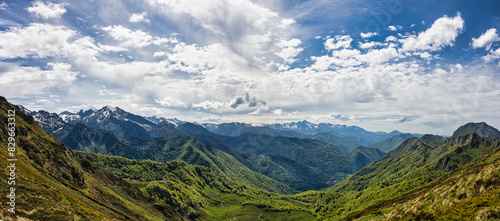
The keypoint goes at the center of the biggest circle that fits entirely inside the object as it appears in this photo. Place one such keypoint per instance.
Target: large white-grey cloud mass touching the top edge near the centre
(256, 33)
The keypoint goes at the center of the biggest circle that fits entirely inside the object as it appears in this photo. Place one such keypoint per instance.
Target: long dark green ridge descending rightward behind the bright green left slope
(184, 148)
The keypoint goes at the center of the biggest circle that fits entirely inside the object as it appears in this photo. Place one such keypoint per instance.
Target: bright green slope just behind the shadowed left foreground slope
(201, 193)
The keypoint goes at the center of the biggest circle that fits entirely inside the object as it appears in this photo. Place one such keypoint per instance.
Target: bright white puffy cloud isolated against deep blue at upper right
(442, 33)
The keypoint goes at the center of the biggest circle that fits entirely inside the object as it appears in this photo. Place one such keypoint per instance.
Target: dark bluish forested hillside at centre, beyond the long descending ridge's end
(324, 164)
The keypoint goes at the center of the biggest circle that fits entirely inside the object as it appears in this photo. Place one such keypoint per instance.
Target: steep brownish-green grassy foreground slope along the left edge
(54, 183)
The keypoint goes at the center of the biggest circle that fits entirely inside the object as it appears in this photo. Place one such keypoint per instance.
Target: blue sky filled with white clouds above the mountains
(426, 66)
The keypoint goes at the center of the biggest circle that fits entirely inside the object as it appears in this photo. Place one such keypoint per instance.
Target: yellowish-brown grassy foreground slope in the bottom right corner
(470, 193)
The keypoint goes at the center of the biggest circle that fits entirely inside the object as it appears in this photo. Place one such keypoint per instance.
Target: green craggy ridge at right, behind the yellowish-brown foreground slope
(414, 164)
